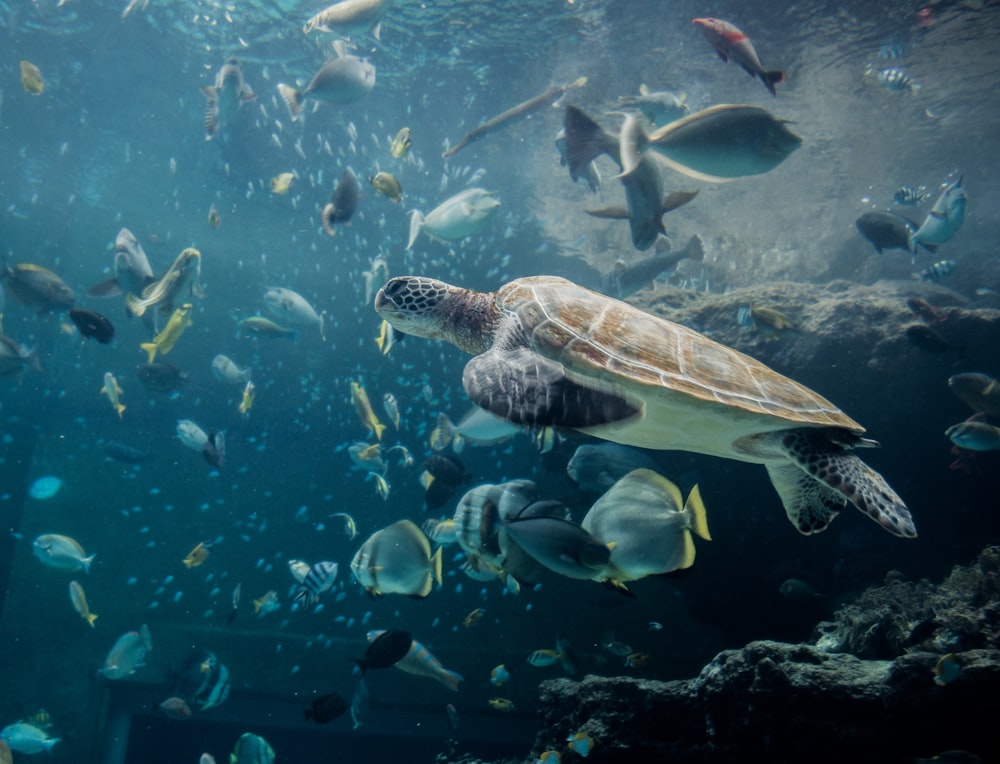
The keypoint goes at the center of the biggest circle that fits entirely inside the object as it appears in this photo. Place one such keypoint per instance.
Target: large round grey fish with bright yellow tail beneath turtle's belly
(641, 518)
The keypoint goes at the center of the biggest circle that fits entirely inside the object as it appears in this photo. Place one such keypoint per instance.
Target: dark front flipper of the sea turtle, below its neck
(527, 389)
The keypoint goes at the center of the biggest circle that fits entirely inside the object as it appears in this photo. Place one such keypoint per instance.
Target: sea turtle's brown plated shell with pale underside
(673, 372)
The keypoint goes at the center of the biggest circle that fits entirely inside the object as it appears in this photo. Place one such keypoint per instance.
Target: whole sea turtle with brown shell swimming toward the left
(551, 353)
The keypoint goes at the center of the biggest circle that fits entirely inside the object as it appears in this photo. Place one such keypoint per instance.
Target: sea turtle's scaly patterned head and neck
(429, 308)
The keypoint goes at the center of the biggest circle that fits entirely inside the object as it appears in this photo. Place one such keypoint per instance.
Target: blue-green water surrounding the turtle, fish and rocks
(117, 140)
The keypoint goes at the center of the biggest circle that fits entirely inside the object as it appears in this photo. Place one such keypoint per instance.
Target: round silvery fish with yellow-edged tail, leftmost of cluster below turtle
(397, 560)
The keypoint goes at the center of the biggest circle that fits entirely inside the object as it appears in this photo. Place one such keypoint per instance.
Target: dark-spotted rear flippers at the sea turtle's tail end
(842, 474)
